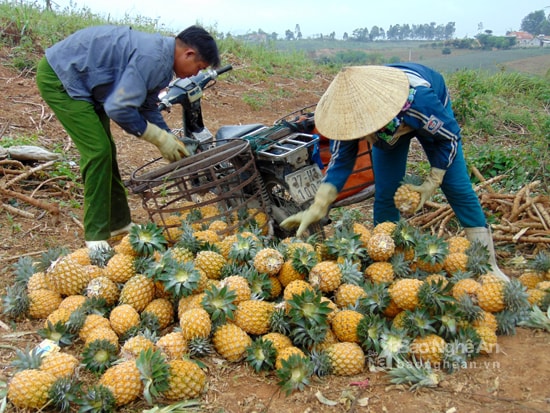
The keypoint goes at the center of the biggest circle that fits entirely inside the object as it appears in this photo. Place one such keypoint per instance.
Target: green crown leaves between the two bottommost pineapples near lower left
(154, 372)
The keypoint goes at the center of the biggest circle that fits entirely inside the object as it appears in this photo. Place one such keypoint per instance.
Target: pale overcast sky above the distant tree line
(320, 16)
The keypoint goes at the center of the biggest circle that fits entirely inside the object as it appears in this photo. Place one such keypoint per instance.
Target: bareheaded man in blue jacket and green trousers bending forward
(105, 73)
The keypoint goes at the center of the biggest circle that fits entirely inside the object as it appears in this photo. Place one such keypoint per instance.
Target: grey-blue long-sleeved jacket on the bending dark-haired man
(119, 70)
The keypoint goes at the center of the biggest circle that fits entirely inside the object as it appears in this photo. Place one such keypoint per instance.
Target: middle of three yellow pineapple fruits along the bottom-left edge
(124, 381)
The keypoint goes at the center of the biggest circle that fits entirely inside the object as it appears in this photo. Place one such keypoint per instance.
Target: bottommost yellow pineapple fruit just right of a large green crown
(186, 380)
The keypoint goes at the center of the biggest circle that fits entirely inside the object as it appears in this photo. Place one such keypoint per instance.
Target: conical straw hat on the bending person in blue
(361, 100)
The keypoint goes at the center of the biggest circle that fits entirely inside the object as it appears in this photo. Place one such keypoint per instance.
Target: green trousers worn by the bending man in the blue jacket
(105, 198)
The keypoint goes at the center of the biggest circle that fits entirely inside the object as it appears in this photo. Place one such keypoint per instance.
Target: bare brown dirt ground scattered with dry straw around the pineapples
(513, 380)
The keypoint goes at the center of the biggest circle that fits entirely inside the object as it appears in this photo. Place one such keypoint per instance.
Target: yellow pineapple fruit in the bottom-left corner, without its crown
(28, 389)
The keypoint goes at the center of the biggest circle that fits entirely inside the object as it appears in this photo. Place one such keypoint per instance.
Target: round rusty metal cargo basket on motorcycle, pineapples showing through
(219, 184)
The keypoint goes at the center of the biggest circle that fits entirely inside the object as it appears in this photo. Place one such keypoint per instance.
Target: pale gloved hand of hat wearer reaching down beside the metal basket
(326, 194)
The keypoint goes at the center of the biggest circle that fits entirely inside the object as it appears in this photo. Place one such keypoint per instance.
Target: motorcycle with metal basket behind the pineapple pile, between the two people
(290, 157)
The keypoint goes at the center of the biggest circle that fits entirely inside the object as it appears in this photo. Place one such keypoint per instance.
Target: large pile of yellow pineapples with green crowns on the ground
(139, 316)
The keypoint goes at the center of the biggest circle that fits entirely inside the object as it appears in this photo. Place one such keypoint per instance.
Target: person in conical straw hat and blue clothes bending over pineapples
(389, 106)
